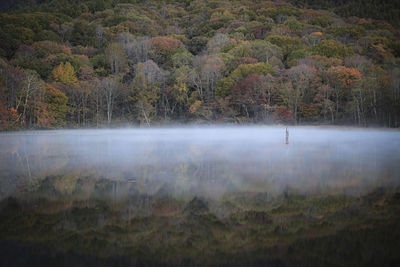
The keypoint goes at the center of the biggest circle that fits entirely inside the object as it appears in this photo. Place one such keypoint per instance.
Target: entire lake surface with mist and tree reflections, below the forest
(226, 196)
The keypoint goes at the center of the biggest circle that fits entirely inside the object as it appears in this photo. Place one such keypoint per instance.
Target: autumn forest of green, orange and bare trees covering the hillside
(107, 63)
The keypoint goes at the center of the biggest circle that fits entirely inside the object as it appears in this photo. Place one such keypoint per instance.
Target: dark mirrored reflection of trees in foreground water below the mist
(241, 229)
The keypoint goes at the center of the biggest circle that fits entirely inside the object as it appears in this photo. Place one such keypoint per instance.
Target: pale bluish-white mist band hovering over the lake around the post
(206, 161)
